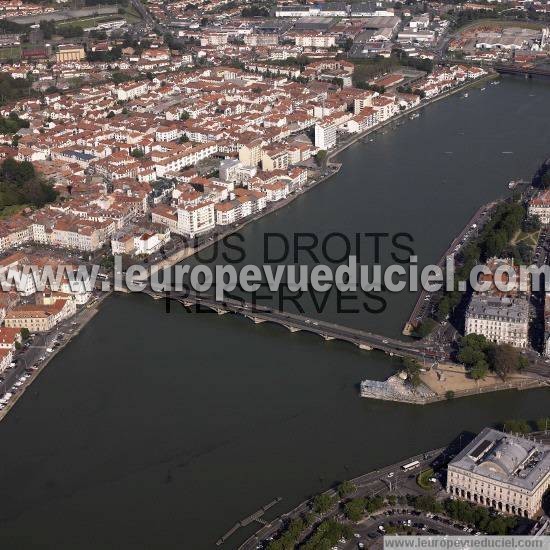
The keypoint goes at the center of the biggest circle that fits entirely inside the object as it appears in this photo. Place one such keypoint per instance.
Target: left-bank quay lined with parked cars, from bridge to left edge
(37, 354)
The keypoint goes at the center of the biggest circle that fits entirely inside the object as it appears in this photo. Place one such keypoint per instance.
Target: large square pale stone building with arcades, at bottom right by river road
(501, 471)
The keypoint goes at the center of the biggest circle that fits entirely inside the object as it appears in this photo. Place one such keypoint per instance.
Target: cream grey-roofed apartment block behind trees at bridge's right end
(501, 319)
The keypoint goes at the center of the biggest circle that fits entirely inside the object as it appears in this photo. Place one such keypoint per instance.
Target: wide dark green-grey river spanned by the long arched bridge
(155, 430)
